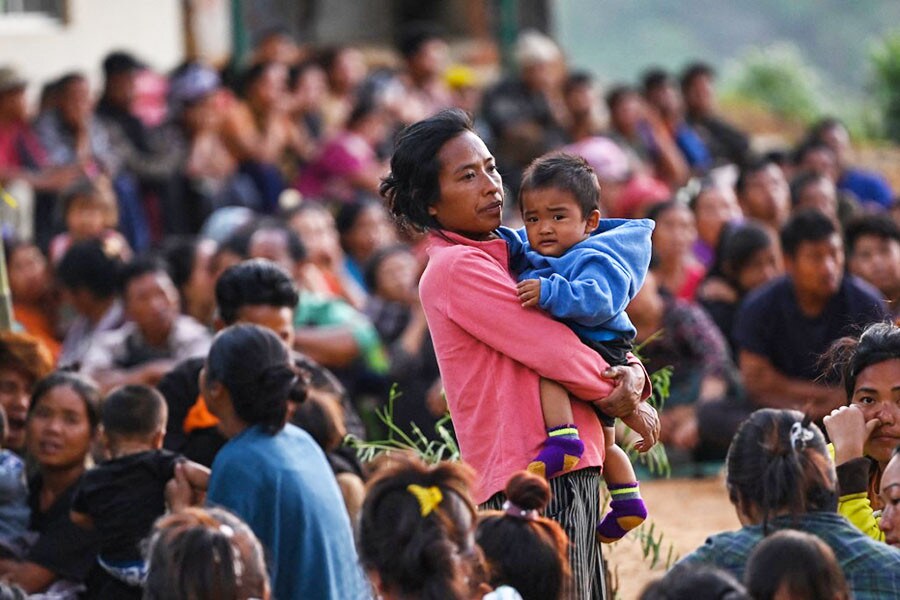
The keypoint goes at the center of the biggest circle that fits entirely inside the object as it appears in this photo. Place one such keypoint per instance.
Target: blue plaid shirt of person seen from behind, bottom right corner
(872, 568)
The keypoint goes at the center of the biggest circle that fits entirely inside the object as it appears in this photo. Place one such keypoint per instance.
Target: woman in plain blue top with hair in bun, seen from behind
(272, 475)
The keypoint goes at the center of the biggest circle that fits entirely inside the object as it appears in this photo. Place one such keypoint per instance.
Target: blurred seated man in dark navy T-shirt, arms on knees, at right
(783, 327)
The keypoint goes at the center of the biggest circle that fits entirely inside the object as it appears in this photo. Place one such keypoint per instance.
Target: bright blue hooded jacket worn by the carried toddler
(589, 287)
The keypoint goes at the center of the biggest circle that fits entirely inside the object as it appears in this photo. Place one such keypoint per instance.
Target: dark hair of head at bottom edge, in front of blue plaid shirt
(795, 562)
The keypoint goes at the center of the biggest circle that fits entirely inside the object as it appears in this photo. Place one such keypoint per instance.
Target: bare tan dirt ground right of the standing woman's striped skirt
(686, 511)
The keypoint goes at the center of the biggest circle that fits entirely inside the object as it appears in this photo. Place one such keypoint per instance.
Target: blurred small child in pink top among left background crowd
(89, 212)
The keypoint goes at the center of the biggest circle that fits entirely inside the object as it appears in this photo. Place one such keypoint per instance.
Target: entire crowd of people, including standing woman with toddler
(206, 305)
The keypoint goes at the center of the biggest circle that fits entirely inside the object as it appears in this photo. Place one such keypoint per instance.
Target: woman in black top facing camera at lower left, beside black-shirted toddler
(62, 423)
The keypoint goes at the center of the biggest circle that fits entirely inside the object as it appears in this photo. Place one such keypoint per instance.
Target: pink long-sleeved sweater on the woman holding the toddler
(492, 354)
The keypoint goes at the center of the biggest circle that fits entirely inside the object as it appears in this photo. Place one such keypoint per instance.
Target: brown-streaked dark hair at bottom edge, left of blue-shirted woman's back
(204, 554)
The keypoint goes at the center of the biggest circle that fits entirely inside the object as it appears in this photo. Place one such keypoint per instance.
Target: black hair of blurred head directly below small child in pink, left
(91, 265)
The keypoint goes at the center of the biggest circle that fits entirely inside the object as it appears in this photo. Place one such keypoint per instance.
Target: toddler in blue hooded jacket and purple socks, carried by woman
(584, 272)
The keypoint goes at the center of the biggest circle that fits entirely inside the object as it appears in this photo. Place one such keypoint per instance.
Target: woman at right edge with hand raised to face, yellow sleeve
(866, 431)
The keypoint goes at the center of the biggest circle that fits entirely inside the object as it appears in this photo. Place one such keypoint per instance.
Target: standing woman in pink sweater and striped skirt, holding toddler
(491, 351)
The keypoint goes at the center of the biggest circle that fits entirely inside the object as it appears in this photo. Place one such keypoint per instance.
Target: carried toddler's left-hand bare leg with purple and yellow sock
(562, 449)
